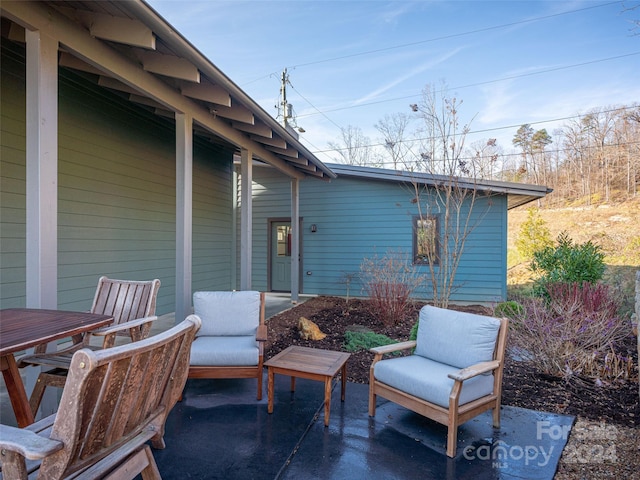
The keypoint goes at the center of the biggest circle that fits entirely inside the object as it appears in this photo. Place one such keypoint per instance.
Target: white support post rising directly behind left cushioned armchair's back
(246, 215)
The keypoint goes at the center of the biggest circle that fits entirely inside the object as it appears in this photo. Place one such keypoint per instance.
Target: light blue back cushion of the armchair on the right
(454, 338)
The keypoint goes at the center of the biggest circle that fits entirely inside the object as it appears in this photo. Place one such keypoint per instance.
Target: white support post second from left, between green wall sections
(184, 214)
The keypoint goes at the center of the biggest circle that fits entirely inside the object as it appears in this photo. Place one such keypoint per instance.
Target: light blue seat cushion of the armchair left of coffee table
(224, 351)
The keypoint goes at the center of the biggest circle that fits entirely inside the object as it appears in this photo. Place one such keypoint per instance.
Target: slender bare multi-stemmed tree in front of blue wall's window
(447, 209)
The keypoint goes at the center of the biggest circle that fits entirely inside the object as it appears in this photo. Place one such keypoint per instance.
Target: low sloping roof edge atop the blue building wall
(518, 194)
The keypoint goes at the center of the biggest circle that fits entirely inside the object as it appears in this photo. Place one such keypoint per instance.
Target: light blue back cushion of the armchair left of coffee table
(227, 313)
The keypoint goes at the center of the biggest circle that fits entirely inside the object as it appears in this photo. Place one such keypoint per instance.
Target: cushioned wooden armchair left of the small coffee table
(230, 343)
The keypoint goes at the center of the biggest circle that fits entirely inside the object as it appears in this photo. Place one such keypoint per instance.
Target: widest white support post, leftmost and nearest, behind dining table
(42, 170)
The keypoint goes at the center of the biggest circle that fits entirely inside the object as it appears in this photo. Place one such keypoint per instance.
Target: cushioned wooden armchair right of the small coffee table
(454, 373)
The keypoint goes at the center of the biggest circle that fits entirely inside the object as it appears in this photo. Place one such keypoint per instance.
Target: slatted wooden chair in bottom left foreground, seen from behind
(115, 401)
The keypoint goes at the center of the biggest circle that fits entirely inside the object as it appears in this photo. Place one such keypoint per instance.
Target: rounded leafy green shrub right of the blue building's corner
(567, 263)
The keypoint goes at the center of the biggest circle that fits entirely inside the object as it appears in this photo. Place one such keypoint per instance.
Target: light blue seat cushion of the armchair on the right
(428, 380)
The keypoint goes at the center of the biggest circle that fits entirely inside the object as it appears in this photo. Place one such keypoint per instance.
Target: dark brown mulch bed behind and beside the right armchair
(523, 386)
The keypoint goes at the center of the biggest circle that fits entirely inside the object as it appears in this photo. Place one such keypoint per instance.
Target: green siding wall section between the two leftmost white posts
(116, 199)
